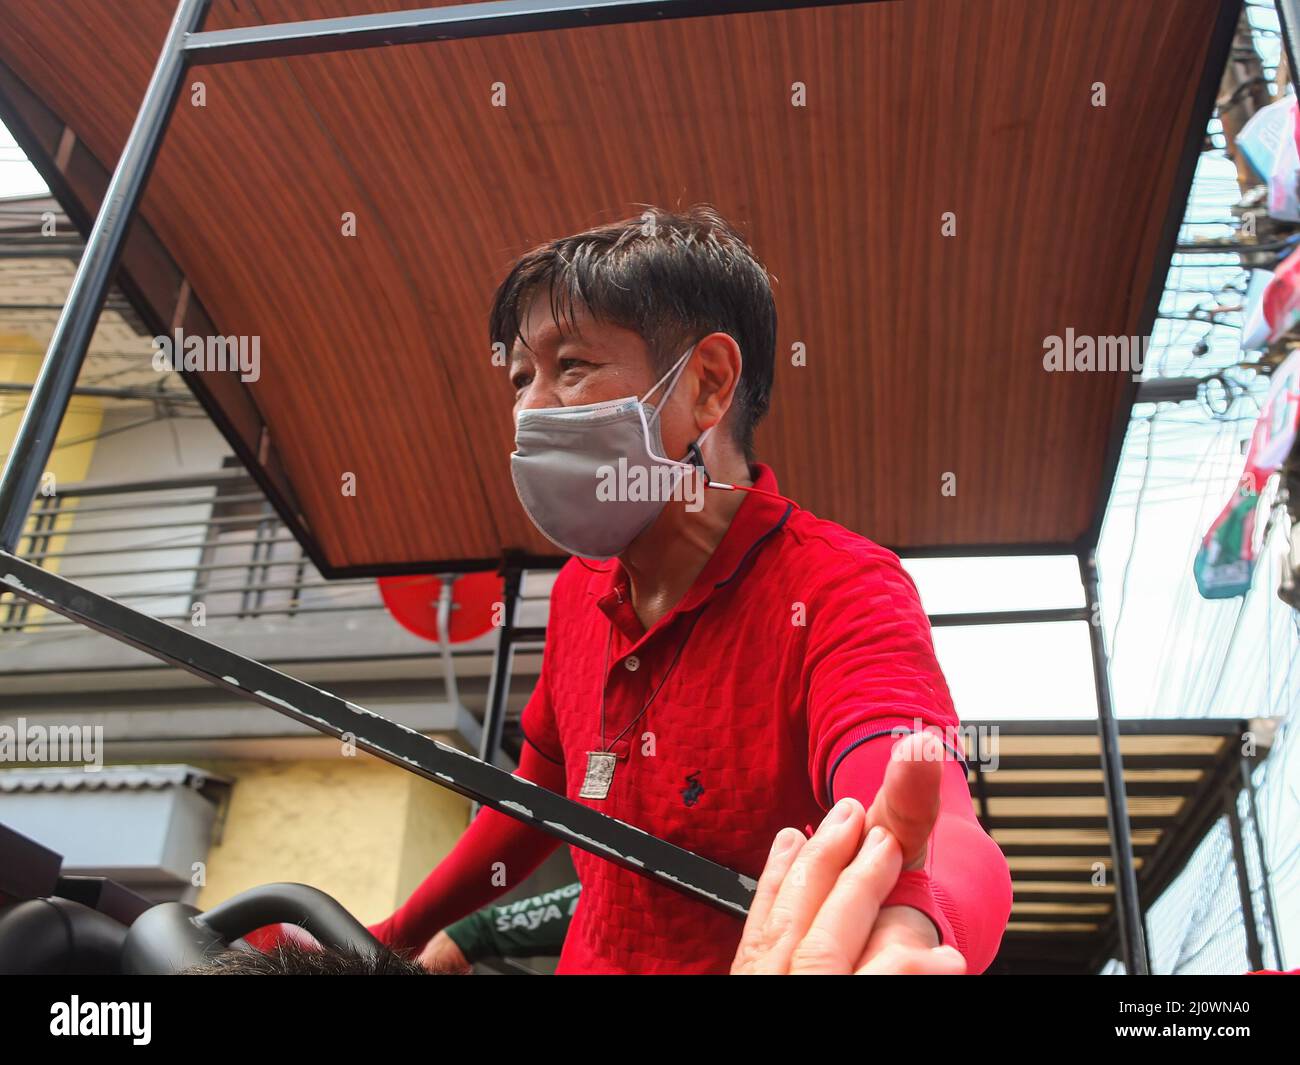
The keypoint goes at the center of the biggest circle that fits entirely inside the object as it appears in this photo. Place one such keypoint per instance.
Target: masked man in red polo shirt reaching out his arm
(731, 665)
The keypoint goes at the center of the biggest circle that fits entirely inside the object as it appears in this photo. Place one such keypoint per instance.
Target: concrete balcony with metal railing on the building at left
(209, 551)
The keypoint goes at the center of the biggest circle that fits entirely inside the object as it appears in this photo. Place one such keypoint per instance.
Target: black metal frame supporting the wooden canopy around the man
(480, 780)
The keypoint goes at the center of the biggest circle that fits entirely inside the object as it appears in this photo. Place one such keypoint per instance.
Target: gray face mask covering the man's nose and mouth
(593, 478)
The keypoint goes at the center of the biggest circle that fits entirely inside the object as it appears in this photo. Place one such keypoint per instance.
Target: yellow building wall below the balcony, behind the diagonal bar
(358, 829)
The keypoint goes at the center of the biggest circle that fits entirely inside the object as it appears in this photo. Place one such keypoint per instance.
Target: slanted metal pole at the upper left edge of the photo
(54, 388)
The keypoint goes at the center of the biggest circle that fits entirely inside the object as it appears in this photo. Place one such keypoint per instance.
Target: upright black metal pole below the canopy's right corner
(1128, 903)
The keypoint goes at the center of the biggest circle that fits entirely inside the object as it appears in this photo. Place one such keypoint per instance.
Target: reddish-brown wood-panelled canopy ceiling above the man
(924, 350)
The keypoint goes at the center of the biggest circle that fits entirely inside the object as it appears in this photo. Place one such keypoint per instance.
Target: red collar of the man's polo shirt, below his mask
(756, 521)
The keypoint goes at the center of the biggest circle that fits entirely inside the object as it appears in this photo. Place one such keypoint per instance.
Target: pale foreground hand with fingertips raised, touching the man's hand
(817, 908)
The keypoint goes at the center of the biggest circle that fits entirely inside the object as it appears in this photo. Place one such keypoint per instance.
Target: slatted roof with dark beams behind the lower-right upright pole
(1041, 795)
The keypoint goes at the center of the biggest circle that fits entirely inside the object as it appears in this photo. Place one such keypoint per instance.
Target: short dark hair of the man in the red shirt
(670, 278)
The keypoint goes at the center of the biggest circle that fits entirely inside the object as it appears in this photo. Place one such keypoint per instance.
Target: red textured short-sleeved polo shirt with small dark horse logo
(798, 640)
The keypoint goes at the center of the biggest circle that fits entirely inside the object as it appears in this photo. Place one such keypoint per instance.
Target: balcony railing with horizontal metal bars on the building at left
(197, 547)
